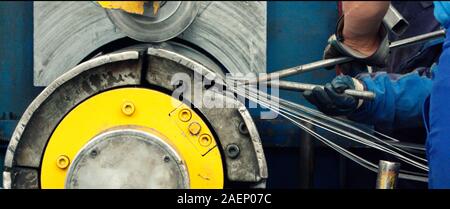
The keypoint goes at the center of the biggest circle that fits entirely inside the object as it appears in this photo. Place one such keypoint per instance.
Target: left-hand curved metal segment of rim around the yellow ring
(44, 113)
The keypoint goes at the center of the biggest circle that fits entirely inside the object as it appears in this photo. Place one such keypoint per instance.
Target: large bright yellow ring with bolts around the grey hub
(153, 110)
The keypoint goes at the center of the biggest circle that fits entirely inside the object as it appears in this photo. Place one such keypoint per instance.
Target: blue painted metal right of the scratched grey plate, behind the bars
(297, 33)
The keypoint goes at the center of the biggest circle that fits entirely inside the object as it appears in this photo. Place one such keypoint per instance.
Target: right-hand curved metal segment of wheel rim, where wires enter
(250, 165)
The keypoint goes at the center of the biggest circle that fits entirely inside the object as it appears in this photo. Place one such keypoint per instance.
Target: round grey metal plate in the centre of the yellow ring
(127, 158)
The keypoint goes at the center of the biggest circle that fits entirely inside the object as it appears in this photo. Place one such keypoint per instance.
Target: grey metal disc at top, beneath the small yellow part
(172, 19)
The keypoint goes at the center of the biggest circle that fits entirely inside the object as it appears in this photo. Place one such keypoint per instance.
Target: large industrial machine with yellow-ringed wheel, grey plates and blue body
(90, 96)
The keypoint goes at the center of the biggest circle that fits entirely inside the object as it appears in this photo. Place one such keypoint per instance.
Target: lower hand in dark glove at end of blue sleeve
(332, 100)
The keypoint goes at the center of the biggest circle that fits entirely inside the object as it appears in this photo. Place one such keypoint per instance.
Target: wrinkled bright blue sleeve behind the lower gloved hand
(398, 102)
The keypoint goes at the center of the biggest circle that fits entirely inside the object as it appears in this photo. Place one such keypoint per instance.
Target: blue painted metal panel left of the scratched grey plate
(16, 65)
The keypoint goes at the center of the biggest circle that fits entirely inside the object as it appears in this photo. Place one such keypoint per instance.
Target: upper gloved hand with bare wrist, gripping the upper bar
(370, 51)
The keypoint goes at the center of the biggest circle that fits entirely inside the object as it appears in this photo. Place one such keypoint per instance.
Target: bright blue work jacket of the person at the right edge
(419, 98)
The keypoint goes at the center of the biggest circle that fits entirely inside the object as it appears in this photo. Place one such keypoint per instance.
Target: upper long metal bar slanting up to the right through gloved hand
(336, 61)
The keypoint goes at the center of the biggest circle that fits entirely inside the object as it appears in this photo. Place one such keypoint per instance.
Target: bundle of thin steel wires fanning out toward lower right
(310, 120)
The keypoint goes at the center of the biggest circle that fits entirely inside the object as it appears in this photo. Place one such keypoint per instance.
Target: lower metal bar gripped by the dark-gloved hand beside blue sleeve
(288, 85)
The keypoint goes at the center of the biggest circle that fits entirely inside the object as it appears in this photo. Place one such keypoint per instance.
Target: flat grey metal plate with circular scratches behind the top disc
(62, 29)
